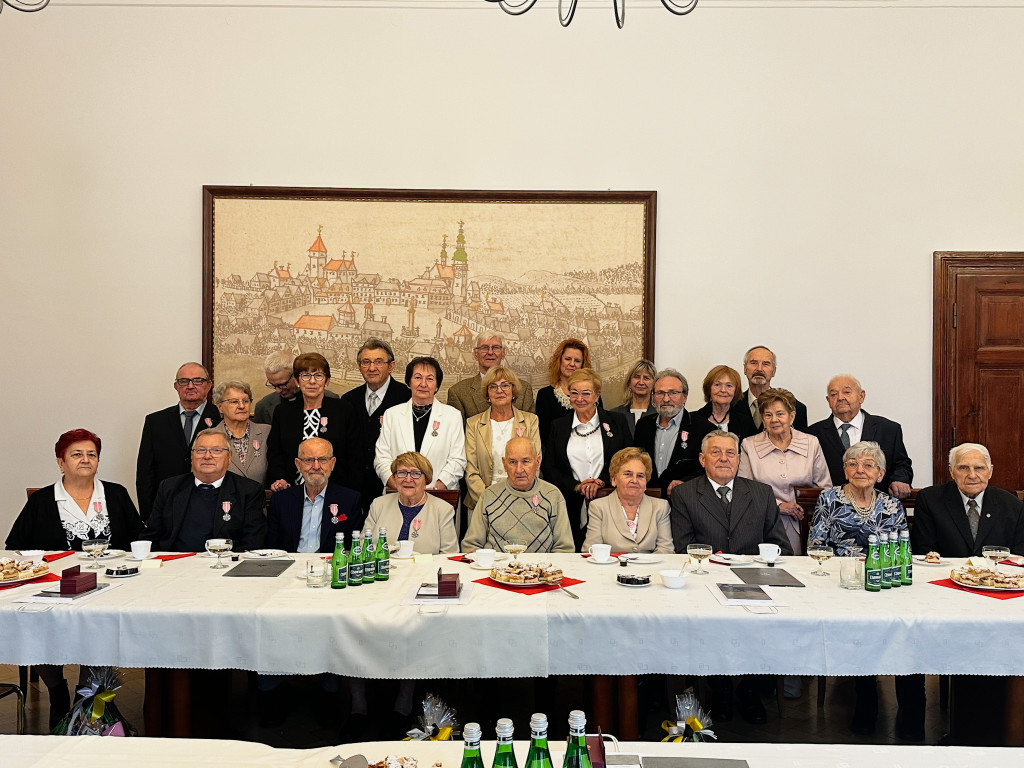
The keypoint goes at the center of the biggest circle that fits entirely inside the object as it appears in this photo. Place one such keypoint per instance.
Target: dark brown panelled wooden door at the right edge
(979, 361)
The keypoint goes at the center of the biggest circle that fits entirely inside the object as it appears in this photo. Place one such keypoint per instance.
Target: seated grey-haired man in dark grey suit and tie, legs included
(734, 516)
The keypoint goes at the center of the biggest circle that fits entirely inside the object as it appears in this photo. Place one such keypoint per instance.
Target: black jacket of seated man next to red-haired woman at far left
(247, 529)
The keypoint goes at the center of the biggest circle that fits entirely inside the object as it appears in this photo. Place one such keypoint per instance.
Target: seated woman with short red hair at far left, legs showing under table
(65, 515)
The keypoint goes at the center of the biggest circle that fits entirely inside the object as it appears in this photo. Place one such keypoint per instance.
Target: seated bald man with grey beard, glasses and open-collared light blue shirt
(307, 518)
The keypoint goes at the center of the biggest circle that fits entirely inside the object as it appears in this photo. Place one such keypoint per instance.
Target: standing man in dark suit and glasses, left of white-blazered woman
(367, 405)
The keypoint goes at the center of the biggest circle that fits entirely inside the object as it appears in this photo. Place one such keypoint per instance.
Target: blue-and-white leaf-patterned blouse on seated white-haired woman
(837, 524)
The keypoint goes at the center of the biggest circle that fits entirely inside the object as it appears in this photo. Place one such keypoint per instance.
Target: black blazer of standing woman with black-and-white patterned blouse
(286, 435)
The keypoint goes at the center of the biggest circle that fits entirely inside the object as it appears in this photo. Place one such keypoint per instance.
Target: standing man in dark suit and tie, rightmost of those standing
(849, 425)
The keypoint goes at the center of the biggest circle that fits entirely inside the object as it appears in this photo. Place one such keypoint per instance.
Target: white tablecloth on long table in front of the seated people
(187, 616)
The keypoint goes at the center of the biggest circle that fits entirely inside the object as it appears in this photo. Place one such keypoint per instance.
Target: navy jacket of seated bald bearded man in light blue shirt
(284, 522)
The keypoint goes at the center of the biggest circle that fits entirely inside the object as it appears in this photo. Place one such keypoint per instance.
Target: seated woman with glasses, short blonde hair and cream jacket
(413, 514)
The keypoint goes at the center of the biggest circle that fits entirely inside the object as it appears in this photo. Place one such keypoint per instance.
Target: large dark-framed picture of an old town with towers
(321, 270)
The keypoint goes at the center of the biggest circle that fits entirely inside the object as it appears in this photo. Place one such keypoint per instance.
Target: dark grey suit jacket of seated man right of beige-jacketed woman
(698, 518)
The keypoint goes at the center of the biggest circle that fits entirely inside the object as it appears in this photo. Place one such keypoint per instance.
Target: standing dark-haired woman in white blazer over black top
(424, 425)
